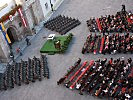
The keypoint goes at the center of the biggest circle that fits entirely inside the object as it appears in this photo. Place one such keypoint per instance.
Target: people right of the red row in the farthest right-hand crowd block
(116, 23)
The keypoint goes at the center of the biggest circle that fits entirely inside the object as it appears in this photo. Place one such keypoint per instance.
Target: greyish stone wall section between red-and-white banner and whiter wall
(33, 12)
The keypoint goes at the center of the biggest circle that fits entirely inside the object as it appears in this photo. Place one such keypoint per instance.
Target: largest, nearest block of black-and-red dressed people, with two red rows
(102, 78)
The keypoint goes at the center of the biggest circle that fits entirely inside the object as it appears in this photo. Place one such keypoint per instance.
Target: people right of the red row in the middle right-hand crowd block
(120, 44)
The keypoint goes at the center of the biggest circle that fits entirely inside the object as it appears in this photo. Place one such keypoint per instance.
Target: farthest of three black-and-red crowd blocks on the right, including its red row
(121, 22)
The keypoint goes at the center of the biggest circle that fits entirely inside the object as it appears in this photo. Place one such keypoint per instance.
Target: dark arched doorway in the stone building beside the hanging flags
(11, 33)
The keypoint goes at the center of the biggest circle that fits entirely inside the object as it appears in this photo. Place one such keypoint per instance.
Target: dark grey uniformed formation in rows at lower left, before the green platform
(24, 72)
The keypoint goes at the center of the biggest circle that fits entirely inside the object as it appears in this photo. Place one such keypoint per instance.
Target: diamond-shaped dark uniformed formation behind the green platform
(62, 24)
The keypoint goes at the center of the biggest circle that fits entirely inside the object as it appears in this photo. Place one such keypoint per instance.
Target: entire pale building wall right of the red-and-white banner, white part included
(37, 11)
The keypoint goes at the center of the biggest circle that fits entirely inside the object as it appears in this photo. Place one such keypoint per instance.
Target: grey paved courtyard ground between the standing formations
(59, 63)
